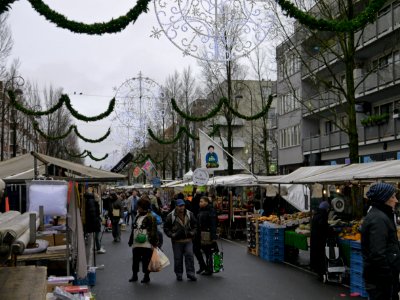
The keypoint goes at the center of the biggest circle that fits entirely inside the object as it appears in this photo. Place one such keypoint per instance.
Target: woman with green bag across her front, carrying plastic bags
(142, 239)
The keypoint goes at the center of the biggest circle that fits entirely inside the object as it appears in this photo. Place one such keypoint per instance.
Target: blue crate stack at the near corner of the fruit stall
(271, 242)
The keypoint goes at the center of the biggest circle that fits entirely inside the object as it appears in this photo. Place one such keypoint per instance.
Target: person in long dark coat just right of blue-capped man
(206, 235)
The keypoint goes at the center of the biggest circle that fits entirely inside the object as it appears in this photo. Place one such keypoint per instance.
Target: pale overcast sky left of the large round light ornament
(91, 65)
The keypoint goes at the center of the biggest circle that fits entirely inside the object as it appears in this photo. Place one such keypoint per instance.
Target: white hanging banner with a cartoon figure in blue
(212, 155)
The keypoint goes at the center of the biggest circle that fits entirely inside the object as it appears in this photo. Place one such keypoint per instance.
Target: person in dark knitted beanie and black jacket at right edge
(380, 245)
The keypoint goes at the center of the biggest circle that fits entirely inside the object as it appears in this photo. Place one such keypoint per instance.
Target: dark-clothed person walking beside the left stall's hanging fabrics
(93, 219)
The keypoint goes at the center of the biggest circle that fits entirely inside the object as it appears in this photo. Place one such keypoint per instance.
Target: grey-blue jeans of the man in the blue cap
(182, 250)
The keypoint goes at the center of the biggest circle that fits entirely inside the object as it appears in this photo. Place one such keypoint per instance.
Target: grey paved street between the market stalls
(245, 277)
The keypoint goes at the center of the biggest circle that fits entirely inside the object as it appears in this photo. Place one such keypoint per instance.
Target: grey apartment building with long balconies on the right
(312, 110)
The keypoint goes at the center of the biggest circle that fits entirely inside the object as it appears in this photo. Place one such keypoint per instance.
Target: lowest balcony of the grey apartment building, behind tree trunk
(366, 135)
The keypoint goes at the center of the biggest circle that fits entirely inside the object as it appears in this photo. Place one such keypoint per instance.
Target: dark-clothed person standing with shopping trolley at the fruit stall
(319, 233)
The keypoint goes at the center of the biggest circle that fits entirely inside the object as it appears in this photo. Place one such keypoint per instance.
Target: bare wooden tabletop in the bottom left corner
(23, 283)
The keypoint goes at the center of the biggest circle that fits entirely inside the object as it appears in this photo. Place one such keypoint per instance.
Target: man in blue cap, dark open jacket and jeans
(180, 225)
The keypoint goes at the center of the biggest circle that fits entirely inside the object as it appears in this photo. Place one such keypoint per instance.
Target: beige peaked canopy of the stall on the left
(21, 168)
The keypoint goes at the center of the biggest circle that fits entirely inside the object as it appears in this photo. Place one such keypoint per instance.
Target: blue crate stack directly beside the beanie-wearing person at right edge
(357, 284)
